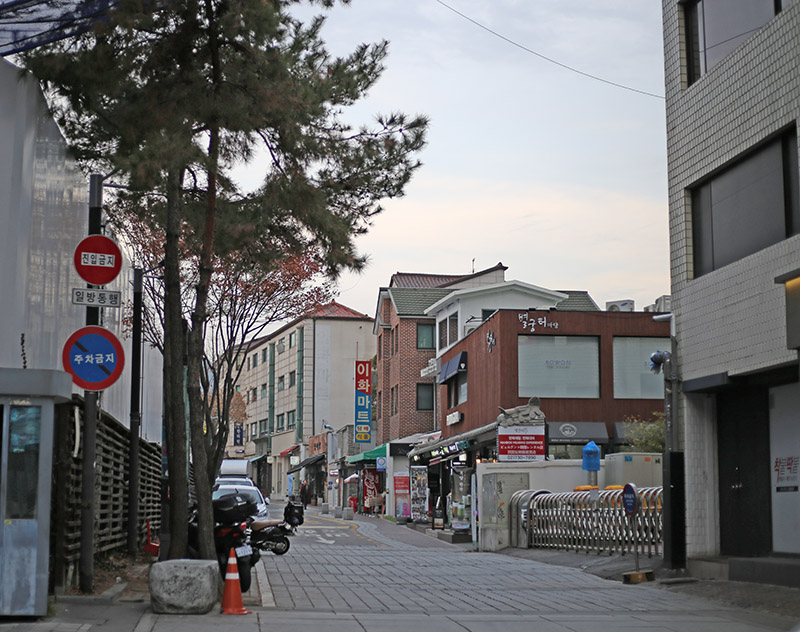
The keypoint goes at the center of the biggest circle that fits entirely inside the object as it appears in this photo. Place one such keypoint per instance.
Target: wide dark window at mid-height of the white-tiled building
(759, 192)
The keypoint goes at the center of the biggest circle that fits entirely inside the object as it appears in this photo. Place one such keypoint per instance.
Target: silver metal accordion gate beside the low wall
(576, 521)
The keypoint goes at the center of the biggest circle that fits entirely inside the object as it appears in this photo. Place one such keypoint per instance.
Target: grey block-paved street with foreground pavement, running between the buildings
(372, 575)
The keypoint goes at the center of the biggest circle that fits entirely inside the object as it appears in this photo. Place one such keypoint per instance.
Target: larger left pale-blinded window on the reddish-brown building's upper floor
(559, 366)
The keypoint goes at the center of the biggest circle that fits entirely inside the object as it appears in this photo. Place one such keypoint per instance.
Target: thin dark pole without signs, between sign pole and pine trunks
(136, 416)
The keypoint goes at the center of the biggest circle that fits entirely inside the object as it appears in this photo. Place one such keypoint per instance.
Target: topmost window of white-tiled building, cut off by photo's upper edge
(715, 28)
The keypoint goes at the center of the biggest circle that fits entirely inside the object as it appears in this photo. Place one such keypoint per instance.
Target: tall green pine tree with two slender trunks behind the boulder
(170, 97)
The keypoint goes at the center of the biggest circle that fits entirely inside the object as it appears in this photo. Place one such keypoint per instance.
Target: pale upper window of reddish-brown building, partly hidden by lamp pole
(633, 378)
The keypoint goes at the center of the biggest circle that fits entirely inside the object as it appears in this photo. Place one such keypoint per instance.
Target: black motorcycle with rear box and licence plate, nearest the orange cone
(232, 517)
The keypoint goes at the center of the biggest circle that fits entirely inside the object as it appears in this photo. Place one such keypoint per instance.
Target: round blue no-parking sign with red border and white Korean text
(94, 358)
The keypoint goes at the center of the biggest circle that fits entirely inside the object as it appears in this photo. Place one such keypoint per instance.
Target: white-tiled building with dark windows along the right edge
(733, 101)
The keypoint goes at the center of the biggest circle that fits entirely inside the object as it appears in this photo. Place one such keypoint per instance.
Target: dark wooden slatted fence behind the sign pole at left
(111, 491)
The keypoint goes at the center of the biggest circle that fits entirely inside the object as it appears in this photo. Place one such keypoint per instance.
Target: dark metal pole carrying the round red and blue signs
(86, 566)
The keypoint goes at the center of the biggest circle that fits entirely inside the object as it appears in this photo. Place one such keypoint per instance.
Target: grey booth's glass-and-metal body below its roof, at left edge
(26, 457)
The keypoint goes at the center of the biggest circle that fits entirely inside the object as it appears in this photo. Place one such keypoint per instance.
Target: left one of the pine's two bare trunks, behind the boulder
(174, 409)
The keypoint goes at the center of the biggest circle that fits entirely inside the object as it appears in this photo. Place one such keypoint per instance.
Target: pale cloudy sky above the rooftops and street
(559, 176)
